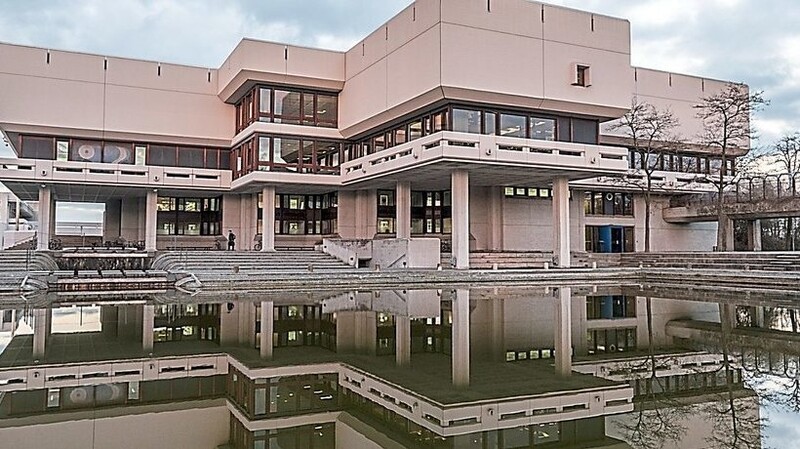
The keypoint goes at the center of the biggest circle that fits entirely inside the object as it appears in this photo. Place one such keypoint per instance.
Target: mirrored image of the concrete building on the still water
(440, 368)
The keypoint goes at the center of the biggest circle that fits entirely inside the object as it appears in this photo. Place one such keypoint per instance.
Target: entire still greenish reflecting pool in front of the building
(580, 365)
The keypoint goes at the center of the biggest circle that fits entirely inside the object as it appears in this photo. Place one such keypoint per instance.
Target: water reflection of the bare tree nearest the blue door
(659, 418)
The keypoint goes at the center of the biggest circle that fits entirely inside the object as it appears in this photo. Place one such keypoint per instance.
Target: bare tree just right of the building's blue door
(650, 132)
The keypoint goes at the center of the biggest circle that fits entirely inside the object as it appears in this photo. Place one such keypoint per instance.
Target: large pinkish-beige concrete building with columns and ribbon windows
(479, 123)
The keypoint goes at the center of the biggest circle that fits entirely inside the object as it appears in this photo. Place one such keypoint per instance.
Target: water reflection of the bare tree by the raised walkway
(736, 421)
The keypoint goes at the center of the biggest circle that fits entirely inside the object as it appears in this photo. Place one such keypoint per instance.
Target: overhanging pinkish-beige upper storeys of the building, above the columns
(536, 80)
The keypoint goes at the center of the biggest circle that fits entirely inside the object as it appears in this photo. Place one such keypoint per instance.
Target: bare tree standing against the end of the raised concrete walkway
(726, 129)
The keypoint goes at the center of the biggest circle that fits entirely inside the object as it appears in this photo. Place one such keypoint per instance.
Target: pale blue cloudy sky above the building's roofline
(752, 41)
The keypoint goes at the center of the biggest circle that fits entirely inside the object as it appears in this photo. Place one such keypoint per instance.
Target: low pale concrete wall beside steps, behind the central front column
(386, 254)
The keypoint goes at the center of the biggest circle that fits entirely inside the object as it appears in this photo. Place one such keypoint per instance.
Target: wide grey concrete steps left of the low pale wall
(249, 262)
